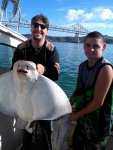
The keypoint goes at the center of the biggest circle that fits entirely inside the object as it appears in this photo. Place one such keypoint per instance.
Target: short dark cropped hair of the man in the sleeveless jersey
(94, 34)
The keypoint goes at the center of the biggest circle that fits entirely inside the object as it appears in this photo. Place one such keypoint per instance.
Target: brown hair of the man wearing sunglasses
(41, 17)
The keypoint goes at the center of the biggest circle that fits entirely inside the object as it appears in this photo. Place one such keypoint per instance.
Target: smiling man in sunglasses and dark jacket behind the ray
(44, 54)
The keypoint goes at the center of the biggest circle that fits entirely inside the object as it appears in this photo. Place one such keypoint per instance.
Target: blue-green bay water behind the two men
(71, 55)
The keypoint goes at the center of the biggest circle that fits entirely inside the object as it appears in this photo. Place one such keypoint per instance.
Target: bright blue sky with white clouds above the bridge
(91, 14)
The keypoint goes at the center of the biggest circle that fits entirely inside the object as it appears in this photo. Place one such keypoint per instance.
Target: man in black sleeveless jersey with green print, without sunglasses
(93, 97)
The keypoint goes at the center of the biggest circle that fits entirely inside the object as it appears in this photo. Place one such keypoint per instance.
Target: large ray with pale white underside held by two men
(27, 95)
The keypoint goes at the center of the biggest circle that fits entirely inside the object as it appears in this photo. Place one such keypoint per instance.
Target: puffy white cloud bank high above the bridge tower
(98, 13)
